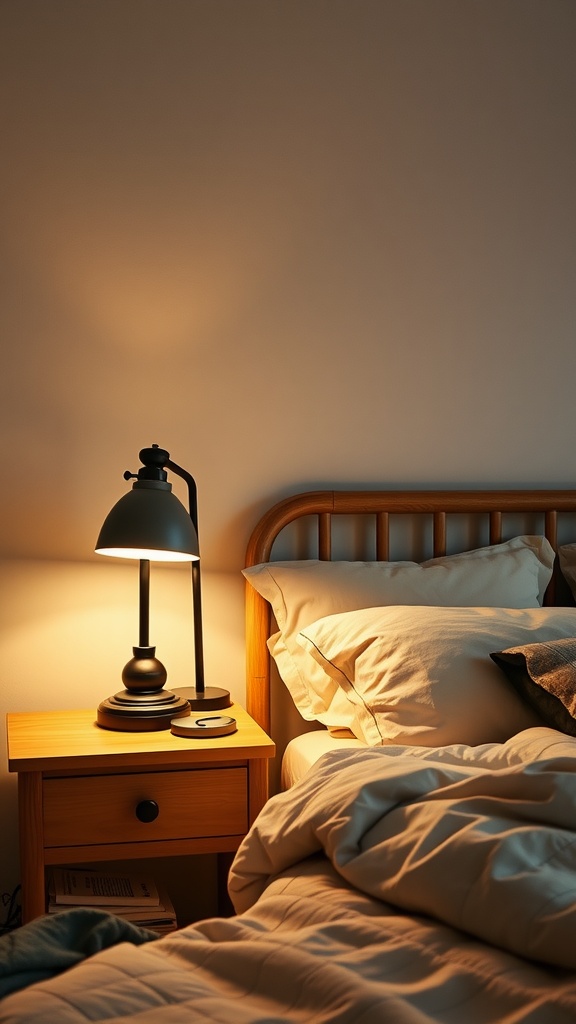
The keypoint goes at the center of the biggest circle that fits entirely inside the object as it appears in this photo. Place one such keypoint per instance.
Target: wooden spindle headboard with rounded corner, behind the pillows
(549, 513)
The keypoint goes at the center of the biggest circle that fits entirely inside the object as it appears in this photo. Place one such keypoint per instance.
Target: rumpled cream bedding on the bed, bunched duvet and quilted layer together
(408, 886)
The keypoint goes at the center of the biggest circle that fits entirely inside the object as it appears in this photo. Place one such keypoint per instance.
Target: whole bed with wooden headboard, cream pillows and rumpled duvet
(418, 863)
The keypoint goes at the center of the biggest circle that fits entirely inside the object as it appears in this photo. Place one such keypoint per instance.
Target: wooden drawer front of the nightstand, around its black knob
(102, 809)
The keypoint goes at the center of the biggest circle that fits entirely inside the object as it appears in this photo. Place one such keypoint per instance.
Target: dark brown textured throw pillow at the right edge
(545, 674)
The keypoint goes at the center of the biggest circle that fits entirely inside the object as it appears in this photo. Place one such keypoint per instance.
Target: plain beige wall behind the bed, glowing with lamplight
(298, 243)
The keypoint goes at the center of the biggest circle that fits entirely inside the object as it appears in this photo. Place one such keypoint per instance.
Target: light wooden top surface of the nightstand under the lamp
(66, 740)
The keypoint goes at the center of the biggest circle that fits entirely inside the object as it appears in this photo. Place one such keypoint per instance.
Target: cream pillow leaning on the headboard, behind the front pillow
(514, 575)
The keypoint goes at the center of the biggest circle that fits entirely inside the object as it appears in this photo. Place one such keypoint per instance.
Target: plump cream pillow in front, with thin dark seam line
(425, 676)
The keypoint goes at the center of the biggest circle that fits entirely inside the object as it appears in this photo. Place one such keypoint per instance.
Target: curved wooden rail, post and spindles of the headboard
(381, 504)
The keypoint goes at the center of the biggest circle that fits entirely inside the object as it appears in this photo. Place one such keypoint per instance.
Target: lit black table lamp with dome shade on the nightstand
(150, 524)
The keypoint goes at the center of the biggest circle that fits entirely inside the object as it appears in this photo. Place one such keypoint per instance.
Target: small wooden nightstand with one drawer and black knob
(84, 792)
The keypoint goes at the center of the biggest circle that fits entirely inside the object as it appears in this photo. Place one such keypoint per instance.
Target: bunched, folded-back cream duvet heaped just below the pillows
(479, 838)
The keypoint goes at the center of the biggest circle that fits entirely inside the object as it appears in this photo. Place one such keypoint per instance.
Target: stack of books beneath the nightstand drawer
(135, 898)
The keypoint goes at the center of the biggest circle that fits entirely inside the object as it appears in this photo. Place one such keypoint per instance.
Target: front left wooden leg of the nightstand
(31, 845)
